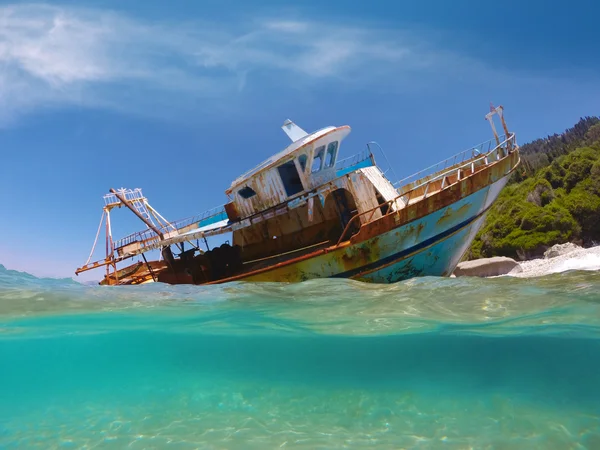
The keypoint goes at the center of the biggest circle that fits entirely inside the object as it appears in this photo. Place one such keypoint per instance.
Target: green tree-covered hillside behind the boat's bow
(554, 197)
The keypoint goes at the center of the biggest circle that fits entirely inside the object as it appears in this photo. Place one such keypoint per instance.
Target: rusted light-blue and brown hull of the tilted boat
(395, 247)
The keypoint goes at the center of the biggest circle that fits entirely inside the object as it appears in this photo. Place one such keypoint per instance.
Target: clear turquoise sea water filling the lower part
(428, 363)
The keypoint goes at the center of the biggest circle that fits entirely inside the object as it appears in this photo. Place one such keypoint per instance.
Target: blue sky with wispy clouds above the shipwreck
(179, 98)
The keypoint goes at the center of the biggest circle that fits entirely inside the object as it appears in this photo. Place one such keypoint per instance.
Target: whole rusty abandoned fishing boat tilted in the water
(303, 213)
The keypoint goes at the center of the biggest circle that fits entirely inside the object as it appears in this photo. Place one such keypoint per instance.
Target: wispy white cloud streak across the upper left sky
(53, 56)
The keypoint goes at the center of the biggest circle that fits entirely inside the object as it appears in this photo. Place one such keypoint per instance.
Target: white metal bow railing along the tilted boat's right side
(447, 177)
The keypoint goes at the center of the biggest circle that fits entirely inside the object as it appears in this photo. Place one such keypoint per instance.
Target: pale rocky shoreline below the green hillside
(558, 258)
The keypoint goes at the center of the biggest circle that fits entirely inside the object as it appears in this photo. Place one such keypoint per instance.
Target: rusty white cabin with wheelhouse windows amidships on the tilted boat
(298, 199)
